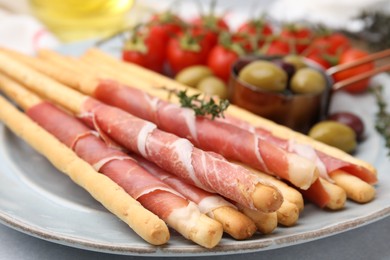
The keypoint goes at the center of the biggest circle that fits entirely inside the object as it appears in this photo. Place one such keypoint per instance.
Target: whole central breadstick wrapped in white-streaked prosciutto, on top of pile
(177, 155)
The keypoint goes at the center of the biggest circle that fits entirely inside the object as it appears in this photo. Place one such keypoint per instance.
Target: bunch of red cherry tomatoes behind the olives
(167, 44)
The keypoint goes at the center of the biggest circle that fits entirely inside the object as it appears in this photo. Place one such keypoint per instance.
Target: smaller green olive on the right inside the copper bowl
(307, 80)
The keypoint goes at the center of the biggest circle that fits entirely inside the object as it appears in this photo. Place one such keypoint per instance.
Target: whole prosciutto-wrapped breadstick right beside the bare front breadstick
(176, 211)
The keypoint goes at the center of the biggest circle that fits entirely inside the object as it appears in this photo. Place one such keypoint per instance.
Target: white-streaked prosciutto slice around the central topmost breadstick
(205, 170)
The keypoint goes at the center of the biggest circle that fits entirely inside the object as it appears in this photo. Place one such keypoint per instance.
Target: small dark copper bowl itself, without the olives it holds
(297, 111)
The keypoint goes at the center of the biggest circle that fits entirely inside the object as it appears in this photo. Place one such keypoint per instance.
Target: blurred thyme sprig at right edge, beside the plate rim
(382, 123)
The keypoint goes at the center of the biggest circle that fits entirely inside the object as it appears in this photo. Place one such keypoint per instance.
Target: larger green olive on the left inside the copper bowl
(264, 75)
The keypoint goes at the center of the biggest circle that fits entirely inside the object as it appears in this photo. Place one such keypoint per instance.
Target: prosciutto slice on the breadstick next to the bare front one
(150, 191)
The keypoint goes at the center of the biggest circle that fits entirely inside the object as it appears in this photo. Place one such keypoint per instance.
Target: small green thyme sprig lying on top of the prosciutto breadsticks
(203, 106)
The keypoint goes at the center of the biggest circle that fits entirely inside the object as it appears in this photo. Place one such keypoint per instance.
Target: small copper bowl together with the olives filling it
(289, 90)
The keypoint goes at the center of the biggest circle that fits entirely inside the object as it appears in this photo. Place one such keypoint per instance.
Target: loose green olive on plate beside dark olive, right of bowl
(335, 134)
